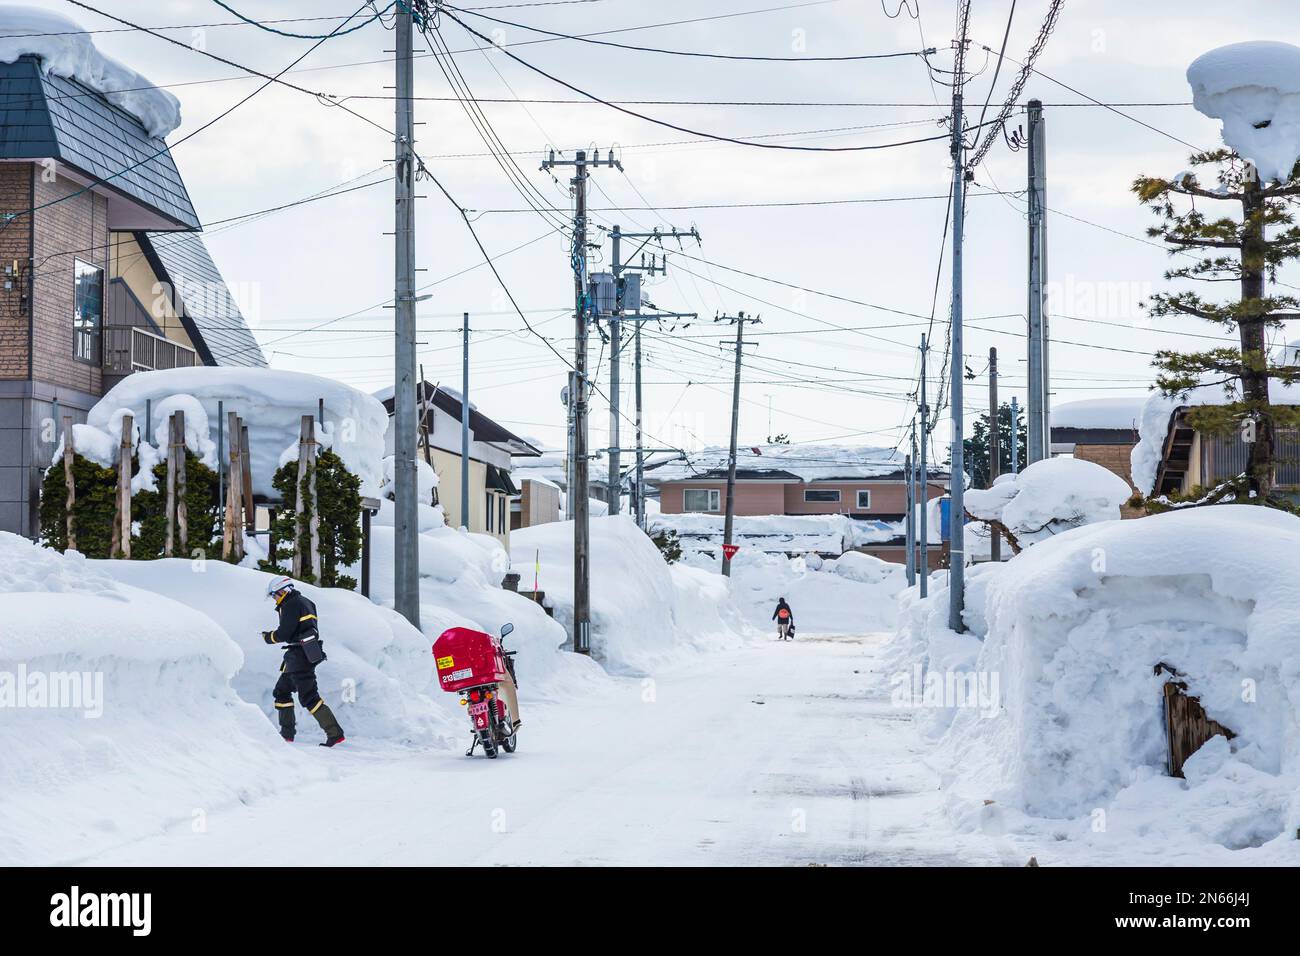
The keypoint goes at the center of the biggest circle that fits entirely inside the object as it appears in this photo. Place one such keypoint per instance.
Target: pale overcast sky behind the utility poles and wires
(332, 261)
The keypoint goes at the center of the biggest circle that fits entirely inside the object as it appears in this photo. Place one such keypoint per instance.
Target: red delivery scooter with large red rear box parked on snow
(474, 664)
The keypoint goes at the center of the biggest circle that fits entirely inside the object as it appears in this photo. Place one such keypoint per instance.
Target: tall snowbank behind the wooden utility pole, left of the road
(644, 612)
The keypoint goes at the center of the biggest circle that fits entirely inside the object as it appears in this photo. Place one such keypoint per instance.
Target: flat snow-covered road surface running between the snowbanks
(778, 754)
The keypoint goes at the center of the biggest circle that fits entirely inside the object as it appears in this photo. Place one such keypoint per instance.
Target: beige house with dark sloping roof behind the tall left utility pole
(492, 448)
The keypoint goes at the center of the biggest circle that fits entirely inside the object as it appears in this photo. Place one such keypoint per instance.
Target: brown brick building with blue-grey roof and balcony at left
(102, 271)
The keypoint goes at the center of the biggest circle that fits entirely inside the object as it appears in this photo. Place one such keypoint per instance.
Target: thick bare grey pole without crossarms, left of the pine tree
(1039, 445)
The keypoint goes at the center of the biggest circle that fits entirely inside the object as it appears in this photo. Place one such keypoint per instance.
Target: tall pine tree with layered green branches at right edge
(1234, 250)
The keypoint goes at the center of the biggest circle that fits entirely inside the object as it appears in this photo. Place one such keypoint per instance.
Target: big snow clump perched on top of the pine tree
(1255, 89)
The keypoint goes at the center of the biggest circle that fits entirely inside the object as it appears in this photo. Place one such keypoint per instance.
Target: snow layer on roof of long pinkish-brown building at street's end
(788, 462)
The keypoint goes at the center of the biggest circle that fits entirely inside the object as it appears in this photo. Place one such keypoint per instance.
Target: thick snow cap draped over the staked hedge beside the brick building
(271, 404)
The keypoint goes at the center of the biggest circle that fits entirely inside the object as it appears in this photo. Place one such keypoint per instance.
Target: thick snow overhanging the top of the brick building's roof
(67, 50)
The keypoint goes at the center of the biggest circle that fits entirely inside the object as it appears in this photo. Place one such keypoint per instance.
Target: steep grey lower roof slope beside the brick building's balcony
(207, 300)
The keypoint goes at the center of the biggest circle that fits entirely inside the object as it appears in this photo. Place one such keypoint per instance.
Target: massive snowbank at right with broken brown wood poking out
(1071, 633)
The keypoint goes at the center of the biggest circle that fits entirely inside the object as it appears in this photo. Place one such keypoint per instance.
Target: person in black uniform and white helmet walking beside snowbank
(298, 631)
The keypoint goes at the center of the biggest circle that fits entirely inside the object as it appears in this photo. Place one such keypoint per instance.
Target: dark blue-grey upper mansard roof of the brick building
(46, 116)
